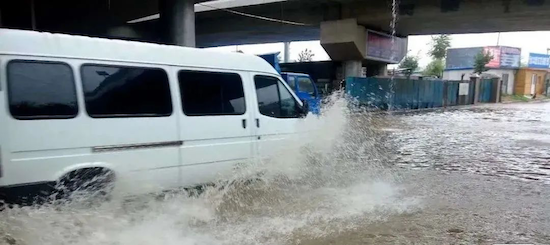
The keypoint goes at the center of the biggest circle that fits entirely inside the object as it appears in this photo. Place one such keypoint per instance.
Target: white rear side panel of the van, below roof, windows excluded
(46, 146)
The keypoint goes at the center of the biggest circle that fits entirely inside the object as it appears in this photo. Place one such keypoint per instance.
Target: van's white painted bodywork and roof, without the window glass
(180, 150)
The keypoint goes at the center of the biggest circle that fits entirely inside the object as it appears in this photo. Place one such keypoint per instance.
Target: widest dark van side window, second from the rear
(117, 91)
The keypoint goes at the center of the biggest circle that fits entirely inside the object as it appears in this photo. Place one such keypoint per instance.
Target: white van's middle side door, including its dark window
(216, 124)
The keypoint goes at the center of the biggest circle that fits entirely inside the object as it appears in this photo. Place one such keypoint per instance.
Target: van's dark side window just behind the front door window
(211, 93)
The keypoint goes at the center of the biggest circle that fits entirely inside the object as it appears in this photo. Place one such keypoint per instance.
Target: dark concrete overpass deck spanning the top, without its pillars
(215, 26)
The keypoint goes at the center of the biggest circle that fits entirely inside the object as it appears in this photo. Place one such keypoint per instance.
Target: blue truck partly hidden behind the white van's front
(301, 83)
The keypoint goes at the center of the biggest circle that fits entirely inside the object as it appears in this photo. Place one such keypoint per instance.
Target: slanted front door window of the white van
(274, 99)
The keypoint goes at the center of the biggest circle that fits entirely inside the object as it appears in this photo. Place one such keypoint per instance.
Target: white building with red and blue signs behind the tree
(504, 65)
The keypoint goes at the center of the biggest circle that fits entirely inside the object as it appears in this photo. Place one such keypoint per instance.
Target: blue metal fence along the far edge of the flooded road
(399, 93)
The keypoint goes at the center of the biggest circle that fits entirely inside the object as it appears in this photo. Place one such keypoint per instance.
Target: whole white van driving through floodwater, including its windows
(151, 116)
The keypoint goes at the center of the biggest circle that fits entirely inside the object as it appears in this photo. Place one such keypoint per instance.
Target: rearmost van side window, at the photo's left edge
(41, 90)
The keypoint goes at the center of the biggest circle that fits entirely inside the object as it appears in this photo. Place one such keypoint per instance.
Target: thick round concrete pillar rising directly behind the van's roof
(178, 19)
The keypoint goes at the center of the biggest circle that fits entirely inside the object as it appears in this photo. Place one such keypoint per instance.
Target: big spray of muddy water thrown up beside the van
(337, 179)
